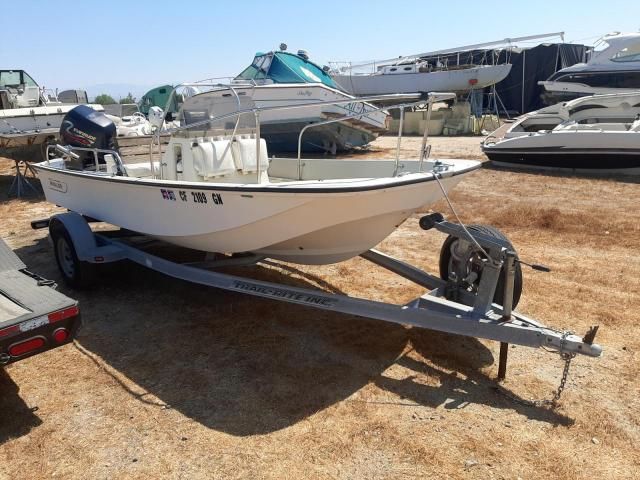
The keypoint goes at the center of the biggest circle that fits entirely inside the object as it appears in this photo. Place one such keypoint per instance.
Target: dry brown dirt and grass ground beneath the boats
(169, 379)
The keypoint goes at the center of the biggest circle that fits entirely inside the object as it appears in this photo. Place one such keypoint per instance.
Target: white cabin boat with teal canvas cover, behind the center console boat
(280, 78)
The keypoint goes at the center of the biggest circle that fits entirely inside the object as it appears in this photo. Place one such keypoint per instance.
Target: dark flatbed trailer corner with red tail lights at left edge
(34, 317)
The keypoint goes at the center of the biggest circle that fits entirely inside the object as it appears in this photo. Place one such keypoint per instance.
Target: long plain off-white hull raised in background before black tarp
(439, 81)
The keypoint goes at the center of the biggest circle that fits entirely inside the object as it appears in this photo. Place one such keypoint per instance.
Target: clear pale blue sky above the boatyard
(77, 44)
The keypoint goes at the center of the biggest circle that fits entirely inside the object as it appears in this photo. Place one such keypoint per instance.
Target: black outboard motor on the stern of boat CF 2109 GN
(87, 128)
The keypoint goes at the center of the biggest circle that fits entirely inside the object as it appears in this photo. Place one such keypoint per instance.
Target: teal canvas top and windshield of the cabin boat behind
(285, 67)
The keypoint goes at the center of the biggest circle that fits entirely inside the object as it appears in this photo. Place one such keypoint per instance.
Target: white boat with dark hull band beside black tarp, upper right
(613, 68)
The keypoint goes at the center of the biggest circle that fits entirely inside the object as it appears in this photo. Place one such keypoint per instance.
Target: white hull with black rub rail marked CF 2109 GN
(312, 222)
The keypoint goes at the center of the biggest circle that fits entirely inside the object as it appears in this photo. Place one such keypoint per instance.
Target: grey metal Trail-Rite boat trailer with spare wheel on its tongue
(475, 295)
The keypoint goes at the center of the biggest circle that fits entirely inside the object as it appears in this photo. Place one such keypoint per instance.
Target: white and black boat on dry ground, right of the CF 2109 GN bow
(596, 134)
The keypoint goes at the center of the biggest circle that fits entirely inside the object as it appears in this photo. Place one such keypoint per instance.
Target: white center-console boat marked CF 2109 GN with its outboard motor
(216, 190)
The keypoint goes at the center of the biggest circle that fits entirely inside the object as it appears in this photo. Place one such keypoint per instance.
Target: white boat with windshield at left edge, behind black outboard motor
(26, 108)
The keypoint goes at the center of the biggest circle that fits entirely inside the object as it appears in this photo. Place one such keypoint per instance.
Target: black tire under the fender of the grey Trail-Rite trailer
(76, 273)
